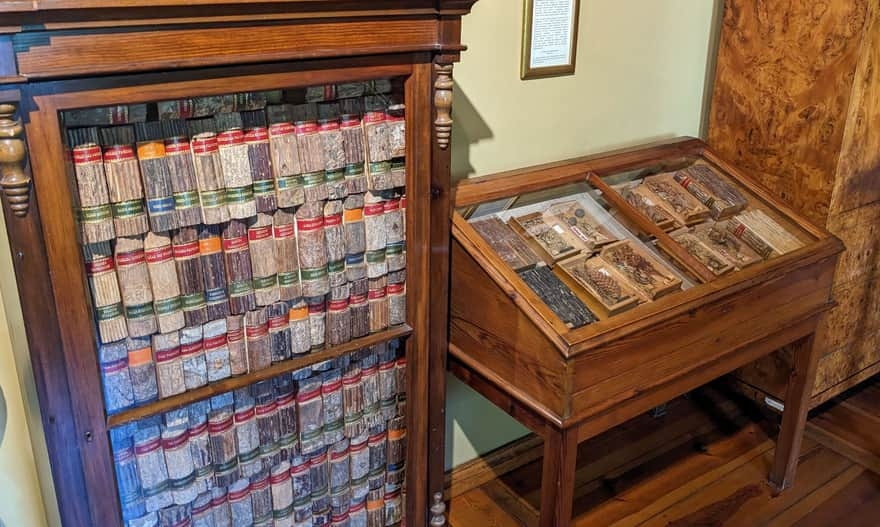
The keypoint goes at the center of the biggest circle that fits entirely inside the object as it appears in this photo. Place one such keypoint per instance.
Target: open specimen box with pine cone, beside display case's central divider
(645, 272)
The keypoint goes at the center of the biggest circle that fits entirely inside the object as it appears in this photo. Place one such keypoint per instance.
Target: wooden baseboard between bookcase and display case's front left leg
(496, 463)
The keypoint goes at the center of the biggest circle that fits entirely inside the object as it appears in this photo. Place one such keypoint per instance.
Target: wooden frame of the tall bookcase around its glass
(57, 56)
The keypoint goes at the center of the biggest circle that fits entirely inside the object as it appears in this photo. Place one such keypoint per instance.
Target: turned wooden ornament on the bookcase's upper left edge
(14, 180)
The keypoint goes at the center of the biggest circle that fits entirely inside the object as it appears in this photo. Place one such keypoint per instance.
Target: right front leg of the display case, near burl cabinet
(794, 417)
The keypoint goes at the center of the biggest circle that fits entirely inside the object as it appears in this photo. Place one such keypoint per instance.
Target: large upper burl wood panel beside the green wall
(782, 90)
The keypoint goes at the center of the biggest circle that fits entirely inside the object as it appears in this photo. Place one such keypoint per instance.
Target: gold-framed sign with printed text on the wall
(549, 38)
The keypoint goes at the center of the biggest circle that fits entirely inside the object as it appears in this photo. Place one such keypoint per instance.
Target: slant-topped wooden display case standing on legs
(570, 384)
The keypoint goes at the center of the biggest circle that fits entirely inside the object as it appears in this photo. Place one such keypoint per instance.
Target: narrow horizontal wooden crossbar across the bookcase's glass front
(233, 383)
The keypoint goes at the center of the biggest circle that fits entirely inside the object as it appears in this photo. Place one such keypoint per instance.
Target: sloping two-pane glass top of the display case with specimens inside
(631, 241)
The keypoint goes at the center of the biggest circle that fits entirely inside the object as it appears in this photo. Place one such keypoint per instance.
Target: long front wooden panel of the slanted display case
(664, 354)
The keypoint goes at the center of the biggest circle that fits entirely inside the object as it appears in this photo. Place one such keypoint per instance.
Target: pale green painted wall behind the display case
(641, 76)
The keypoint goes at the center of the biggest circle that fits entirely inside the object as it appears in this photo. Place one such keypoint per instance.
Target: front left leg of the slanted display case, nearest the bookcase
(557, 477)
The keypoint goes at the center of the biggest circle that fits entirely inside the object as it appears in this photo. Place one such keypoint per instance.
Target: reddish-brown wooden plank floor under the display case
(705, 464)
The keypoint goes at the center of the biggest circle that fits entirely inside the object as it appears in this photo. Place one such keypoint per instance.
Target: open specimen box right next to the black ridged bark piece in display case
(601, 281)
